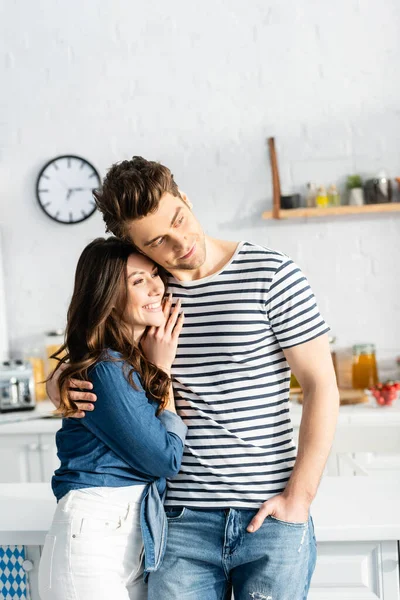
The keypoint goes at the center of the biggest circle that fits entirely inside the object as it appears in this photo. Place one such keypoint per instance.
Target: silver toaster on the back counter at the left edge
(17, 386)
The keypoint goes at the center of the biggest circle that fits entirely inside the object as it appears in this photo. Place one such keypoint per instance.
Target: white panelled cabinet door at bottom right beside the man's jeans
(356, 571)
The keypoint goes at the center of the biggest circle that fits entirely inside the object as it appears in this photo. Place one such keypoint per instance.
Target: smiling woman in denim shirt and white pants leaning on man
(109, 518)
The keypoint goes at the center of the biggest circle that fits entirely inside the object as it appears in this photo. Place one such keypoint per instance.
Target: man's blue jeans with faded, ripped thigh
(209, 552)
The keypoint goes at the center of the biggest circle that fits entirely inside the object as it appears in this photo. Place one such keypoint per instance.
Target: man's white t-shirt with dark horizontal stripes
(231, 379)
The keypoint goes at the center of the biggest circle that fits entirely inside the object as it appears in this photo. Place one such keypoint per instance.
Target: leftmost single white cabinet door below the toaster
(20, 459)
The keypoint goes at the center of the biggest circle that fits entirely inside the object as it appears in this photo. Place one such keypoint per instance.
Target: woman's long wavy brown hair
(94, 323)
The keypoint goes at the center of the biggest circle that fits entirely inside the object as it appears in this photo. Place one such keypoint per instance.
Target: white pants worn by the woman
(94, 548)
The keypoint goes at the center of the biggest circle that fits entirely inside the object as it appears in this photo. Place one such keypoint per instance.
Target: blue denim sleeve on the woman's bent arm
(125, 421)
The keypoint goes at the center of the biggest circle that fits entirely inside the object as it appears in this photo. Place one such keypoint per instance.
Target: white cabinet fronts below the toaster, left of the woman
(27, 458)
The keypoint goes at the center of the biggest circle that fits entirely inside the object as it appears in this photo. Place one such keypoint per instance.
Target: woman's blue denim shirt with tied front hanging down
(122, 442)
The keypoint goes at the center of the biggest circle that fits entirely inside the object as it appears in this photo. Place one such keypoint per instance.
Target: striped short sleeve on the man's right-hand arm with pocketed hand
(292, 308)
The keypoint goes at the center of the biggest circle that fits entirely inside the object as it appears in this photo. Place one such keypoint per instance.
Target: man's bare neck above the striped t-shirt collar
(218, 253)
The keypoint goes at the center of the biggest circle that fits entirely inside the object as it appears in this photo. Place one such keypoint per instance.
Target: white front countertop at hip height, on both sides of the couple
(346, 509)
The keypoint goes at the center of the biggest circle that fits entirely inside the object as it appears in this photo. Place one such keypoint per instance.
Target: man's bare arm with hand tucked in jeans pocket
(311, 363)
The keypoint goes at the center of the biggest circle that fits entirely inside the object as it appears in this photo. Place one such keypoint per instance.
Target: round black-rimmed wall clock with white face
(64, 189)
